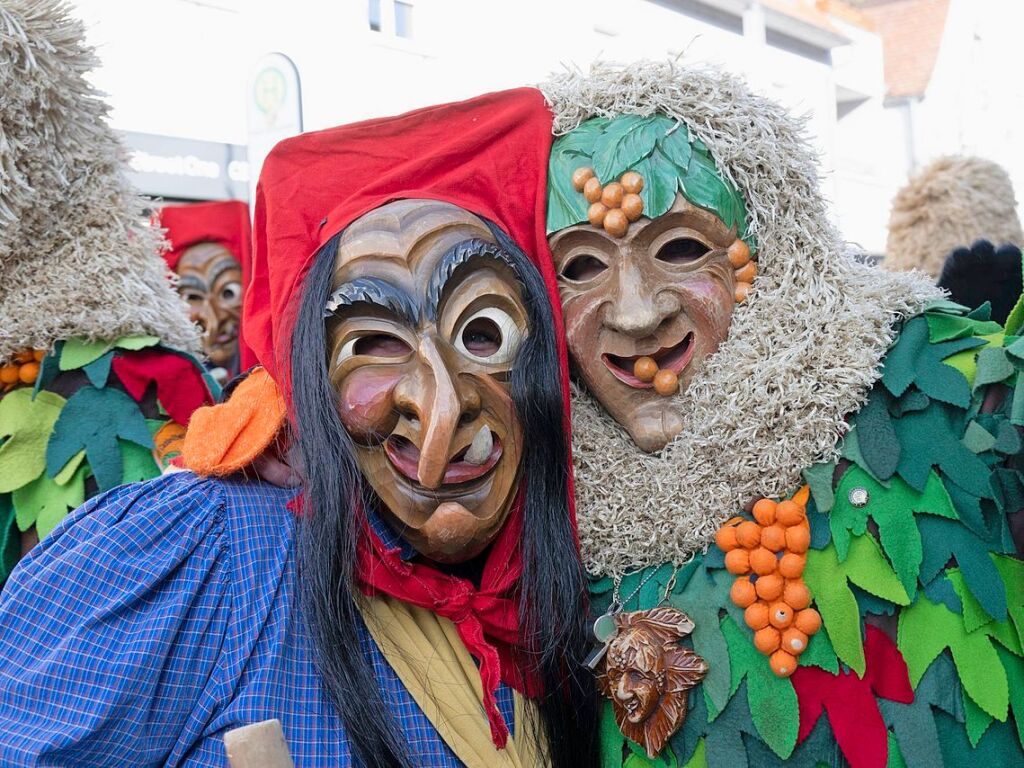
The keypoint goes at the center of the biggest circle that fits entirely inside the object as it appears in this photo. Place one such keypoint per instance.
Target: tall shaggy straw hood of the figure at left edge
(76, 259)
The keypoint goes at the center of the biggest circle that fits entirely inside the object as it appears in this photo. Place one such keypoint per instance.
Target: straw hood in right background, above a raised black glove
(951, 204)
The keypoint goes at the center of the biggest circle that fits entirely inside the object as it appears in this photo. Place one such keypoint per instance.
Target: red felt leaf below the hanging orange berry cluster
(850, 702)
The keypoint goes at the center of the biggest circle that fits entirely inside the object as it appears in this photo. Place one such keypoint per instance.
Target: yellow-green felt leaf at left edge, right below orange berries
(25, 426)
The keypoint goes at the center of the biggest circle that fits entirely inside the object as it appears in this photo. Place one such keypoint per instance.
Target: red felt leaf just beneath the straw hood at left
(181, 388)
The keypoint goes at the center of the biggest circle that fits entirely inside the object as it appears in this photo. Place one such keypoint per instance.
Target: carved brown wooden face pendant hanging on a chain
(648, 675)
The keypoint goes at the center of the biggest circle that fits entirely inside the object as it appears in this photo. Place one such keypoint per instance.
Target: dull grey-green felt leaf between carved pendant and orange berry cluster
(705, 594)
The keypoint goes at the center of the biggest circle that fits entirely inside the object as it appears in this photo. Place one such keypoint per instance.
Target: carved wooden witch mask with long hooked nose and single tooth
(426, 318)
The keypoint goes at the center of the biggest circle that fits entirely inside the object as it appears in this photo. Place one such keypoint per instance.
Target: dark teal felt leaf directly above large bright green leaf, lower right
(945, 539)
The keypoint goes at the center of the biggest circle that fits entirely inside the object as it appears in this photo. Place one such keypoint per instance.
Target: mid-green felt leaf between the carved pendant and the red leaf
(773, 700)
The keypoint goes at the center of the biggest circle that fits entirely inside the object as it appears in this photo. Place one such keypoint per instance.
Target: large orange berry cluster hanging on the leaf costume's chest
(774, 551)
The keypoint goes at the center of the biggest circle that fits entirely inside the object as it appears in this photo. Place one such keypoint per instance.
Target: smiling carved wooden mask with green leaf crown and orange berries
(651, 265)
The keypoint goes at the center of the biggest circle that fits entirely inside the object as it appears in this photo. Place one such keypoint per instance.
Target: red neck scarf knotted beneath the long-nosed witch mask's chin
(487, 618)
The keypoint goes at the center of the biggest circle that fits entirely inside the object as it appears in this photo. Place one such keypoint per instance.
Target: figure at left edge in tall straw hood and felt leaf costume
(83, 290)
